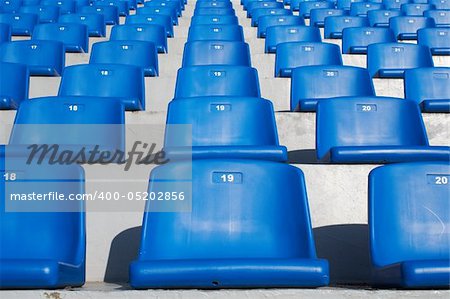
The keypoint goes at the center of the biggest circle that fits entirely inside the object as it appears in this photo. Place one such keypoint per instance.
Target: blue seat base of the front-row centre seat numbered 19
(229, 273)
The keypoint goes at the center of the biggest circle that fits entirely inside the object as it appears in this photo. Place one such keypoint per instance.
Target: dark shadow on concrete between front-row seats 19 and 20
(346, 247)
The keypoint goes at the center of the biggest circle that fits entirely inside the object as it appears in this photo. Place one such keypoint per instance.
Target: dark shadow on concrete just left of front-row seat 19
(124, 249)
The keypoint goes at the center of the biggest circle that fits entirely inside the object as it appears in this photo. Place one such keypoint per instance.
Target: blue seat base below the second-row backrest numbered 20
(388, 154)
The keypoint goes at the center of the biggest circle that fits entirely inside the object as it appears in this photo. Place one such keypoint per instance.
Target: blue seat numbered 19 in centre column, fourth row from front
(216, 52)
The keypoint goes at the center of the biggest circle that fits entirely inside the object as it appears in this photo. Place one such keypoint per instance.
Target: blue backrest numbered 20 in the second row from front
(368, 121)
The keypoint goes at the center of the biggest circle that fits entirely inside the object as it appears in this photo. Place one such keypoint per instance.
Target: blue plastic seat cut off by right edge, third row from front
(429, 87)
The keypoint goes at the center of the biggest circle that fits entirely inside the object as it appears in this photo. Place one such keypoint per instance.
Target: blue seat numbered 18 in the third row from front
(124, 82)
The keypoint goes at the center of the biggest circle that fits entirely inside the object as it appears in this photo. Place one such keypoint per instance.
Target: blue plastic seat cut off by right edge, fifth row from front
(437, 39)
